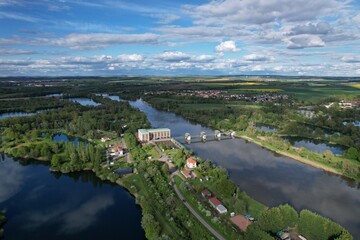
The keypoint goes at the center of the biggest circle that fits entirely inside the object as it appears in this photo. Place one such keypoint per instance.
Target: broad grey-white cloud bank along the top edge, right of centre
(261, 12)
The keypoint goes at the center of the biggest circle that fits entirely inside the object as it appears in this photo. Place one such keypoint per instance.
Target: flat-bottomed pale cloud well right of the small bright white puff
(304, 41)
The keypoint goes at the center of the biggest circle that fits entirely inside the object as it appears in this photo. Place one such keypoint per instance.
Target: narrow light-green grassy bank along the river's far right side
(295, 157)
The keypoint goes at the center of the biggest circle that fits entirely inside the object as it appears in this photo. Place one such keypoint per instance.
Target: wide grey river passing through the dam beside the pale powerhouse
(268, 177)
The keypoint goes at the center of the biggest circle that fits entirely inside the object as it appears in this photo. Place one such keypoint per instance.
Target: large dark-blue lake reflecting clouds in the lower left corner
(45, 205)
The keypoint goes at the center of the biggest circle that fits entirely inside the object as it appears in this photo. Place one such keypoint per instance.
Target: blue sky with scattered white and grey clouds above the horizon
(179, 37)
